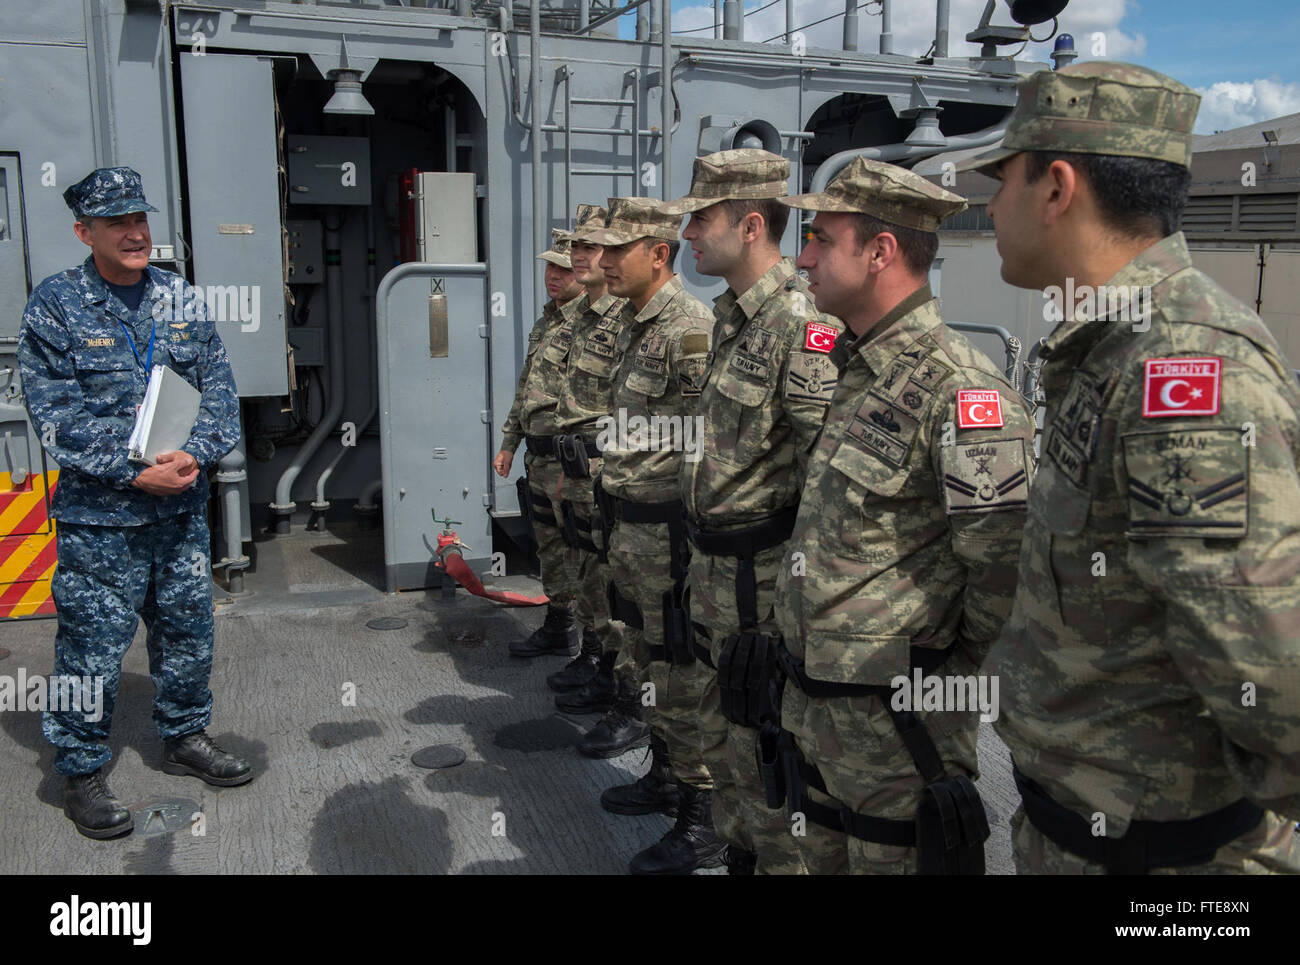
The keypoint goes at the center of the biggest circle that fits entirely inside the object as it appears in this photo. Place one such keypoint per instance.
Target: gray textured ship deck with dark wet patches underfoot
(336, 789)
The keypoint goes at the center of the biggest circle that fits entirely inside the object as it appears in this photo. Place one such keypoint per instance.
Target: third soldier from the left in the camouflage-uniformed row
(662, 352)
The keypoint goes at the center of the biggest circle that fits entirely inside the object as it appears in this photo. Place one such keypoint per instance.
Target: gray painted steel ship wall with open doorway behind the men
(189, 97)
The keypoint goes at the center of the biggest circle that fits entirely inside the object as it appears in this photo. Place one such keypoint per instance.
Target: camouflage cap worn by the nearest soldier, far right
(1099, 109)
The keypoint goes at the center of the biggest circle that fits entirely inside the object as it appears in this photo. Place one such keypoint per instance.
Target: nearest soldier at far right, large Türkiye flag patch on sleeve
(1149, 670)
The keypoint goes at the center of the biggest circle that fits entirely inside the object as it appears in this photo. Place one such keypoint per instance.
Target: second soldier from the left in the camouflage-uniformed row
(587, 395)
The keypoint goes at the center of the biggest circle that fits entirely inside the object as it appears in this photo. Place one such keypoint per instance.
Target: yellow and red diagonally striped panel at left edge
(27, 547)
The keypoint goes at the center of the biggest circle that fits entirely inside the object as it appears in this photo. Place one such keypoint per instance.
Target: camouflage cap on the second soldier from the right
(885, 192)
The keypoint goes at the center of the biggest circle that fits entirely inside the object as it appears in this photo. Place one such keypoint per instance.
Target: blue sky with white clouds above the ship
(1243, 55)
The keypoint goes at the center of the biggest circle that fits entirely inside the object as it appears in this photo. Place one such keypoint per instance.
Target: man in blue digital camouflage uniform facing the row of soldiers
(133, 542)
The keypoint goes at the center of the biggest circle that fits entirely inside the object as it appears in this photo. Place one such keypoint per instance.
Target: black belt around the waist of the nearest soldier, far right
(1146, 845)
